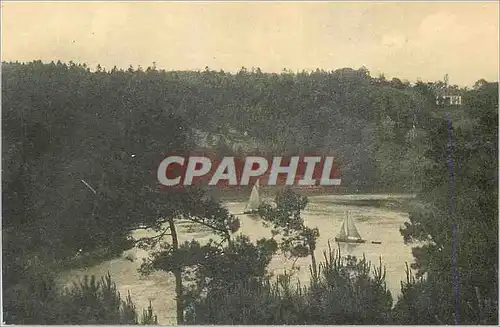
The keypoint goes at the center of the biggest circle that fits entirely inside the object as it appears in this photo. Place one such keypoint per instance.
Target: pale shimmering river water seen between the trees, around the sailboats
(374, 224)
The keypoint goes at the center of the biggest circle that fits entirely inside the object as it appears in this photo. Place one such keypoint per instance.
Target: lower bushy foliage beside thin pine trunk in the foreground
(210, 266)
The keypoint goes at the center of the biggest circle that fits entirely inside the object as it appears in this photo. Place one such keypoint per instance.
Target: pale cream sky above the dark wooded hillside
(409, 40)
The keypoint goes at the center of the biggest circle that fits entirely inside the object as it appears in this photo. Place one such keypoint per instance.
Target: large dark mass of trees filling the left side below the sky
(68, 126)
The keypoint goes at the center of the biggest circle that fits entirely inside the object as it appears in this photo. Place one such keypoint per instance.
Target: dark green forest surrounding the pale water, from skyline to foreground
(79, 152)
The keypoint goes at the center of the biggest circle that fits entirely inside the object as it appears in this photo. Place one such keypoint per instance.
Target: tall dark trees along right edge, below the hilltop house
(457, 216)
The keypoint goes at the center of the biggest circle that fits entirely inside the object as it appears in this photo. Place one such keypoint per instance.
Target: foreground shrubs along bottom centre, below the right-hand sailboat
(347, 292)
